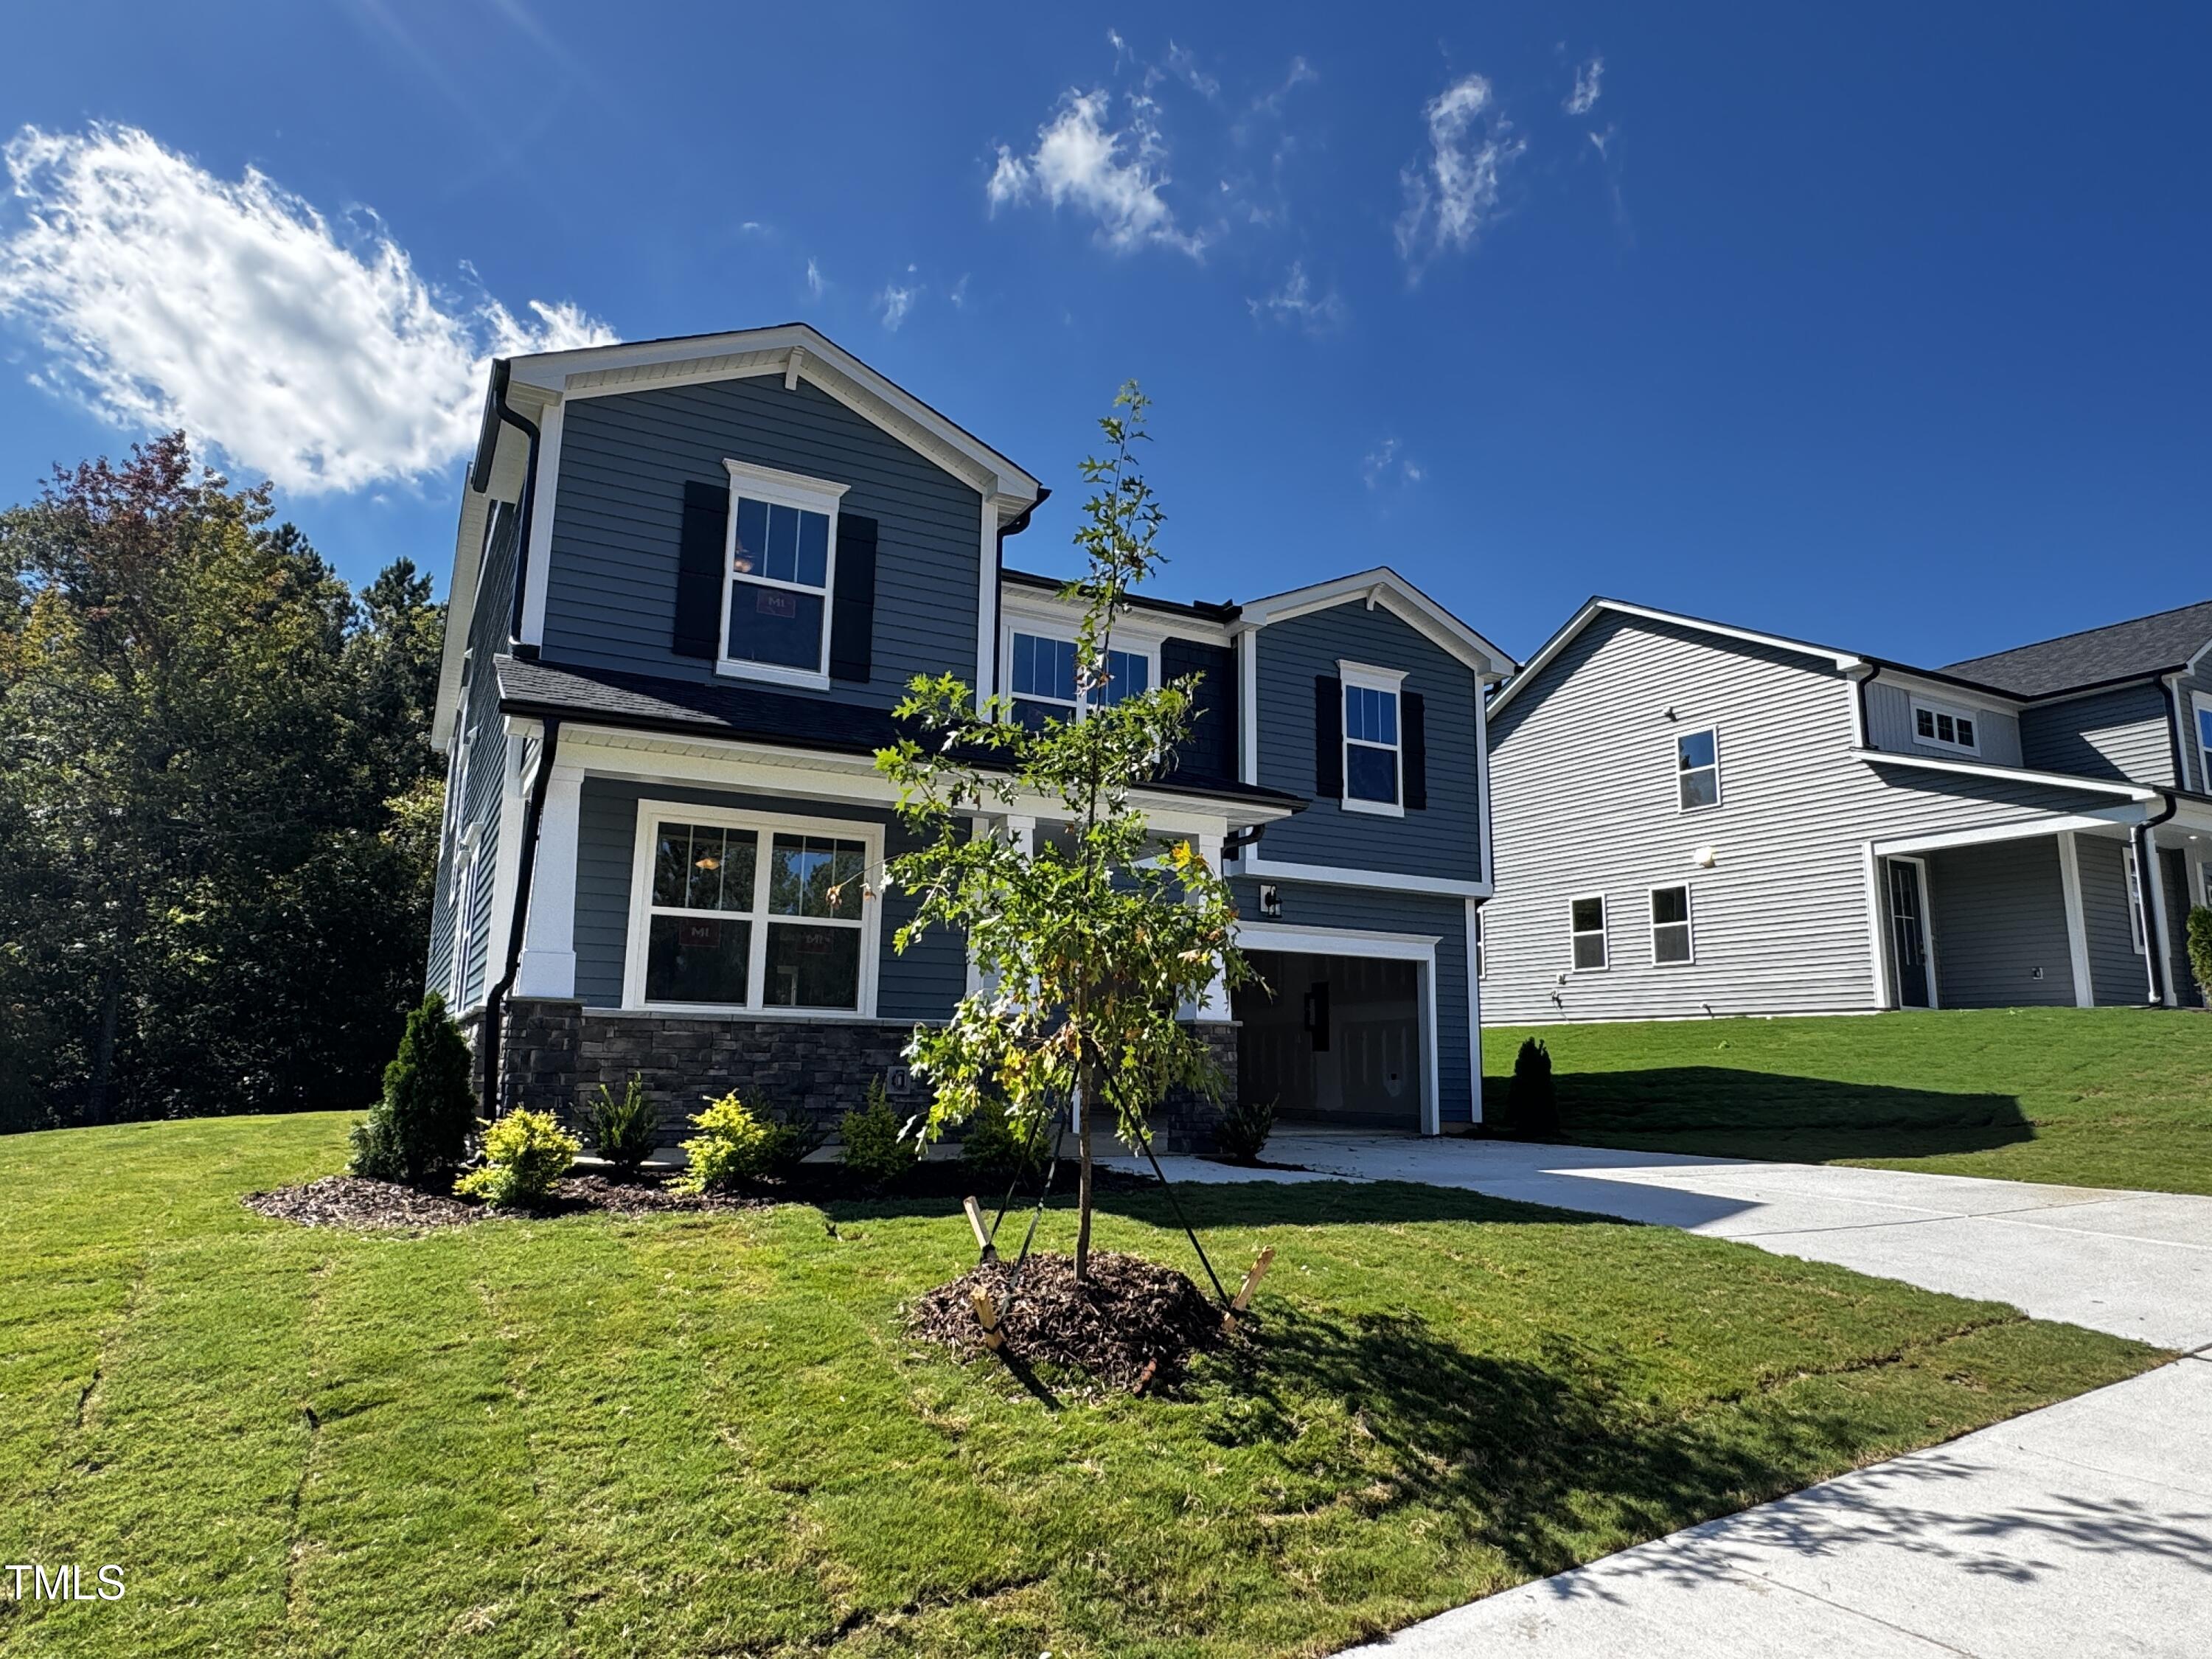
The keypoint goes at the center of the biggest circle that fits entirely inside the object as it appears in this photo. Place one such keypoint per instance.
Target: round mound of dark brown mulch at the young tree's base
(1134, 1326)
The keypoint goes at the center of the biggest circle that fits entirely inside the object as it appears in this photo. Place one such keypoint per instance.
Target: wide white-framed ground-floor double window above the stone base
(753, 912)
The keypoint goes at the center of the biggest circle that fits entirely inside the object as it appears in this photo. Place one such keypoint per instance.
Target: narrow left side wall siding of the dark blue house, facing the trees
(483, 755)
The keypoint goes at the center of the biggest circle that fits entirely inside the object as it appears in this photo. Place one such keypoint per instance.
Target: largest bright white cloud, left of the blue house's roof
(167, 298)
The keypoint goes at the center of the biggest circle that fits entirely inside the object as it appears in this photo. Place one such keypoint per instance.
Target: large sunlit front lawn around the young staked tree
(709, 1434)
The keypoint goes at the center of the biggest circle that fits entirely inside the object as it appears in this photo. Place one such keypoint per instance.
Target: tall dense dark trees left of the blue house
(218, 802)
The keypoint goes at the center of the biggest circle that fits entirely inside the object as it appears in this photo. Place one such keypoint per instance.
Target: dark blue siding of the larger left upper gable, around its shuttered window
(612, 583)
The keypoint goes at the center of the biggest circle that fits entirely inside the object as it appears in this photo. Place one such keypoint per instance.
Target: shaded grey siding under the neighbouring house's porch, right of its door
(2001, 912)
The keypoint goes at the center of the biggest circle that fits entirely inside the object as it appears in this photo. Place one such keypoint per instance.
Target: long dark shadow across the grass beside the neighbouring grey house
(1773, 1116)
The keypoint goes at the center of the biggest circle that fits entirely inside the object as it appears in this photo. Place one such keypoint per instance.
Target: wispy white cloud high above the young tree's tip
(1112, 176)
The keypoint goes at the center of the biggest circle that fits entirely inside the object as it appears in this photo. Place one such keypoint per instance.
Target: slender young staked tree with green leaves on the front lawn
(1092, 939)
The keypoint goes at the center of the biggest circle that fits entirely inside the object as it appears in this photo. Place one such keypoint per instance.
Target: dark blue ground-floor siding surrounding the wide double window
(919, 985)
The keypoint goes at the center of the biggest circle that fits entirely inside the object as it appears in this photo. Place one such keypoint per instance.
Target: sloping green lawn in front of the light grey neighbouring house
(2072, 1096)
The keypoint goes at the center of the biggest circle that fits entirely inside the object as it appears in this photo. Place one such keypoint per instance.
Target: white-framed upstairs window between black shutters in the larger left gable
(782, 545)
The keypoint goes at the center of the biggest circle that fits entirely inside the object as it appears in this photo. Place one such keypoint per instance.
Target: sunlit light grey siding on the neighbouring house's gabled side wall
(1585, 789)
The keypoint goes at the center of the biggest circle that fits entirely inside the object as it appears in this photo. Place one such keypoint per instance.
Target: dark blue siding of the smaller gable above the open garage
(1446, 839)
